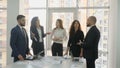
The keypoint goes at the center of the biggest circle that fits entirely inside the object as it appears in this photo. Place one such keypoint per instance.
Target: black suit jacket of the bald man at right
(90, 44)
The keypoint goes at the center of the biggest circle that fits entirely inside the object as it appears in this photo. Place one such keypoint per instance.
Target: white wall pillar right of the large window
(112, 34)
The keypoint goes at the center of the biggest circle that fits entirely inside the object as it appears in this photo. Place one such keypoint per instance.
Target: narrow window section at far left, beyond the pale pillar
(3, 25)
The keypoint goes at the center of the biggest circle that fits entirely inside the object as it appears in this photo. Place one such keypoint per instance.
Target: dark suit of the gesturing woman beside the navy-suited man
(36, 45)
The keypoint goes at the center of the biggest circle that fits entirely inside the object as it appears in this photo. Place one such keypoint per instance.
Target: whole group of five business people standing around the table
(78, 46)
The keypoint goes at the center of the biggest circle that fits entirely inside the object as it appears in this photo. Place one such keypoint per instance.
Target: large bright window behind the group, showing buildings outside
(68, 10)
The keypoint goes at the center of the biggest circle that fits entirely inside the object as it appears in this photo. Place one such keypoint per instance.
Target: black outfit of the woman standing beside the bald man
(75, 38)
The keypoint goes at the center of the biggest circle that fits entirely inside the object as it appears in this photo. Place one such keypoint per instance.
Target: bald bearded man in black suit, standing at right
(90, 44)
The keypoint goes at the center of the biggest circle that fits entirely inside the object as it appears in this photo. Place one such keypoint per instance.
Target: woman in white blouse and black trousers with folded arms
(58, 35)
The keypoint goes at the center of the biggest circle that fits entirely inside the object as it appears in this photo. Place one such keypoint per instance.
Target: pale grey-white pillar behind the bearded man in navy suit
(13, 9)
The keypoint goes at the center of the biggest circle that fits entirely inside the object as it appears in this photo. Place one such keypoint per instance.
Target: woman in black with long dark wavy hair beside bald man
(75, 36)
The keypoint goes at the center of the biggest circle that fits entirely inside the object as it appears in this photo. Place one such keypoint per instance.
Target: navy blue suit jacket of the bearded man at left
(18, 42)
